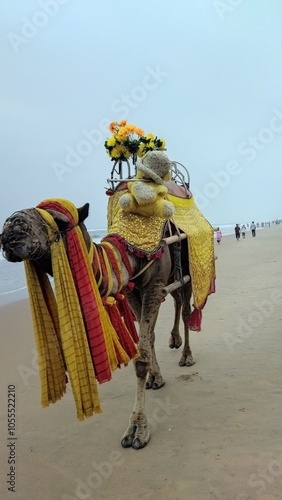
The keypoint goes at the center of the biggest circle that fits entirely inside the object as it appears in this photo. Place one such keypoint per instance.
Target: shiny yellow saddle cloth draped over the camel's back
(145, 233)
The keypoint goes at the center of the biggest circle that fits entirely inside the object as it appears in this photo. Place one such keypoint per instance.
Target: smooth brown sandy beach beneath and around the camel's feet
(216, 426)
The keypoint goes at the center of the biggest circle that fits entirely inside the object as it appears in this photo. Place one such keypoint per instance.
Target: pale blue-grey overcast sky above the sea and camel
(204, 75)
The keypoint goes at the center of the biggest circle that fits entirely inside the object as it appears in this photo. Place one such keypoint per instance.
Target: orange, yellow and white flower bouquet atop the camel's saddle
(127, 141)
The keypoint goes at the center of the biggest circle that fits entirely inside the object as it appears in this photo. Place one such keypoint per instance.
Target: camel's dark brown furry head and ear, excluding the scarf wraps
(25, 235)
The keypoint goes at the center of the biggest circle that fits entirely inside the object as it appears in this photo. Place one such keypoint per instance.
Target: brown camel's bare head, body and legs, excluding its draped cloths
(25, 237)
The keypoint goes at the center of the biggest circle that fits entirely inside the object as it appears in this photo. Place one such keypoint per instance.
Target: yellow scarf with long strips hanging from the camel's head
(59, 329)
